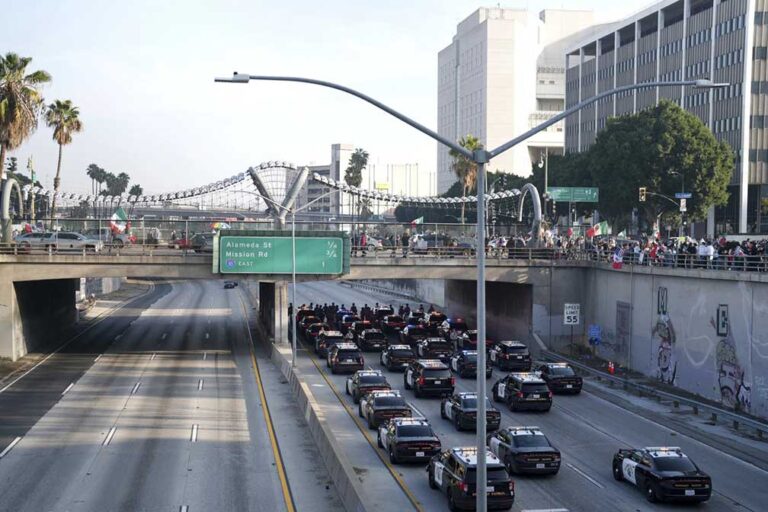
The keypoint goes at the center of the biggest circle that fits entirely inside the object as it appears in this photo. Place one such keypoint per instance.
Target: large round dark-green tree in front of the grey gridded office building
(662, 149)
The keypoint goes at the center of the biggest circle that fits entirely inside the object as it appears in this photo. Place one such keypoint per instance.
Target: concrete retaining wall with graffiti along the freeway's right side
(707, 336)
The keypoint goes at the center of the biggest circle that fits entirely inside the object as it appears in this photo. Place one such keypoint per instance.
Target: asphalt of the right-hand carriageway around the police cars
(585, 428)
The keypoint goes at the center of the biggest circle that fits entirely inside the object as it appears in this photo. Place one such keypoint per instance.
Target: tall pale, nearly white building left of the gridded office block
(502, 74)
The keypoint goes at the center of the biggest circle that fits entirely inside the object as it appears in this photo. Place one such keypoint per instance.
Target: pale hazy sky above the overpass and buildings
(142, 72)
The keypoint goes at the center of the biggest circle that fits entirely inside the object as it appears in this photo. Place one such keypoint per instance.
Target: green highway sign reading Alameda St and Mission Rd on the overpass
(272, 255)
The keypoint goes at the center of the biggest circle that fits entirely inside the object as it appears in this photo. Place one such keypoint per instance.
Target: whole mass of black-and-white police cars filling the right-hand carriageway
(429, 349)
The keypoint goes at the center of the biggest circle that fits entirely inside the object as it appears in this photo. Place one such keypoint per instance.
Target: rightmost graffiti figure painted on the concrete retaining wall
(731, 378)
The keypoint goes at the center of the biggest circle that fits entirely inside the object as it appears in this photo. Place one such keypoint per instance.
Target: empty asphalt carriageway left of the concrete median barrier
(157, 408)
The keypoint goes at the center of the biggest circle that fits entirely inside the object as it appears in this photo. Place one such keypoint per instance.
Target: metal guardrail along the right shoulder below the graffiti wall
(737, 420)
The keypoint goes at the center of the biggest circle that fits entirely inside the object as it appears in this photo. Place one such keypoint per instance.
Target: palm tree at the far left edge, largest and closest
(20, 102)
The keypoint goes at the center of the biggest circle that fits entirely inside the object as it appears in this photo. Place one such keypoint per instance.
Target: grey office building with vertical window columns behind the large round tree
(720, 40)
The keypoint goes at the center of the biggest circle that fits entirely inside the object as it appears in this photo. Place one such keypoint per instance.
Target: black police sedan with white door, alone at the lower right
(663, 473)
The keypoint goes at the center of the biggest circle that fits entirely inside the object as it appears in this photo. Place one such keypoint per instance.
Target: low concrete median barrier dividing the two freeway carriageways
(339, 468)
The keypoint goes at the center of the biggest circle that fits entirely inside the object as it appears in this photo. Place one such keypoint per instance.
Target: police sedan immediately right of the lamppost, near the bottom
(525, 450)
